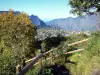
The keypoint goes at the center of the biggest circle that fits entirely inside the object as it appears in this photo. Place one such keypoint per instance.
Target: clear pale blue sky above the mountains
(44, 9)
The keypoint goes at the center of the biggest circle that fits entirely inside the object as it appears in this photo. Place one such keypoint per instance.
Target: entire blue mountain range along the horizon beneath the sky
(85, 23)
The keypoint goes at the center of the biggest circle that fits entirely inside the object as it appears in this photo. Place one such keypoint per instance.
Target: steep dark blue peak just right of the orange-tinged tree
(39, 23)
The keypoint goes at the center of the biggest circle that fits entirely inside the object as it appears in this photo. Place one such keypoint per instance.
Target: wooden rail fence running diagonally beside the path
(35, 59)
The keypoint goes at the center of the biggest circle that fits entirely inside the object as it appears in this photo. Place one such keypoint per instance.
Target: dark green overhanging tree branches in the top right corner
(81, 7)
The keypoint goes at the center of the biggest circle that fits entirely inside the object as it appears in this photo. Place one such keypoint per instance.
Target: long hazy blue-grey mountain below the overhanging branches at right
(87, 22)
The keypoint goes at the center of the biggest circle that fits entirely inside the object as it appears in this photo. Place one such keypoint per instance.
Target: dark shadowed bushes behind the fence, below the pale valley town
(49, 42)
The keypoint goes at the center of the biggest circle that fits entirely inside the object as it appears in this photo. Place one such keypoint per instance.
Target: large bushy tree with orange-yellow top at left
(16, 40)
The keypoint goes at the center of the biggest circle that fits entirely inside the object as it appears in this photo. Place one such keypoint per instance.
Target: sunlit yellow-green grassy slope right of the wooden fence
(88, 63)
